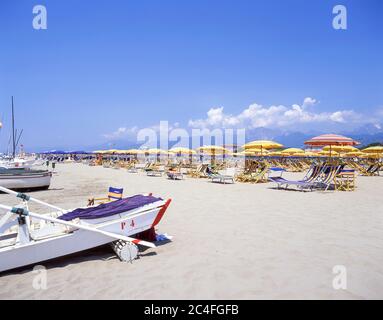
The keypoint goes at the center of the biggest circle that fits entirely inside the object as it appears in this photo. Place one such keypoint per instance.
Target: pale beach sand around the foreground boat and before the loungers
(240, 241)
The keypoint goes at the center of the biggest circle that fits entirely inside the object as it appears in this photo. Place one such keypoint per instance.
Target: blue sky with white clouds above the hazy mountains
(105, 65)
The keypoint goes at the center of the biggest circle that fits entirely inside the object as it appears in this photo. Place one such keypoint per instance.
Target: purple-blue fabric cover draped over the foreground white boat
(110, 208)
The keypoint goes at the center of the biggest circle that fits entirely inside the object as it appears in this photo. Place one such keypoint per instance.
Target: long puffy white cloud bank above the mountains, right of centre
(281, 116)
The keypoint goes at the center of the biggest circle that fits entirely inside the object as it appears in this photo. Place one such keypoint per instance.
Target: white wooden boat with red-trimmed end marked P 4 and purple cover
(28, 238)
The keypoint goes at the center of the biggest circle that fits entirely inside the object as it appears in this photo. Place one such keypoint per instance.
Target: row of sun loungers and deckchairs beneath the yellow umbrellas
(319, 175)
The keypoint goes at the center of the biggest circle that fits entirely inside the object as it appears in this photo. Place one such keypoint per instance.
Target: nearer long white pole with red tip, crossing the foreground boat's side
(24, 212)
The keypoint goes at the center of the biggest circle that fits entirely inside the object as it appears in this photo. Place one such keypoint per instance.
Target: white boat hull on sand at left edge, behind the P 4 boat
(25, 179)
